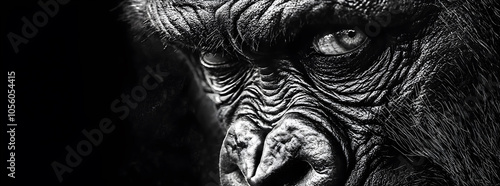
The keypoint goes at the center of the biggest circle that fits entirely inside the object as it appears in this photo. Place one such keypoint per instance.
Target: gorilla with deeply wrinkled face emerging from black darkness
(339, 92)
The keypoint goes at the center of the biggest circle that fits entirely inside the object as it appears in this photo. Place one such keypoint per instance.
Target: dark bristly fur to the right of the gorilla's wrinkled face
(454, 119)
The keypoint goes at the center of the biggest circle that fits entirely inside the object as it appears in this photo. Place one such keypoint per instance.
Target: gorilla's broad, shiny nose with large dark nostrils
(294, 152)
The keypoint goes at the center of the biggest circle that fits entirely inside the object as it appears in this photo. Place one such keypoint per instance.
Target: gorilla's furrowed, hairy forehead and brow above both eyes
(208, 24)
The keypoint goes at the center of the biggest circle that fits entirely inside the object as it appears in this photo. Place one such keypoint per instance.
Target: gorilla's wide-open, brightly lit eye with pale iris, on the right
(339, 42)
